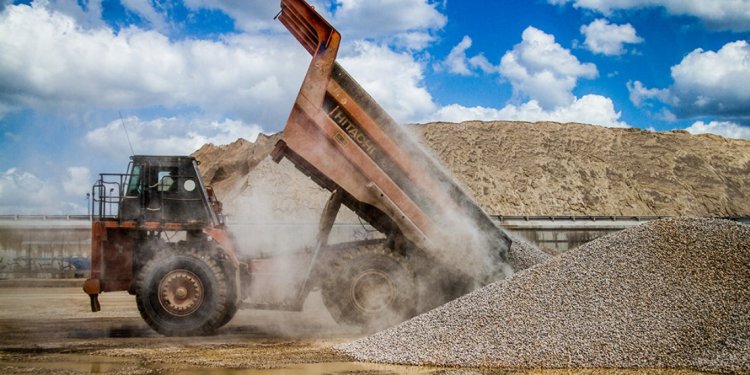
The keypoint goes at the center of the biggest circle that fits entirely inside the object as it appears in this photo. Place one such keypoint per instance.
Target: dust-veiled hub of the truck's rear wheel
(373, 291)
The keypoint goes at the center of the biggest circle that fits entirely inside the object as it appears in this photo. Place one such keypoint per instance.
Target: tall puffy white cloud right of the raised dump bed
(542, 70)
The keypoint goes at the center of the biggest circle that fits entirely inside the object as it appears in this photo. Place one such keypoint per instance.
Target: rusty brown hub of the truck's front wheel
(181, 292)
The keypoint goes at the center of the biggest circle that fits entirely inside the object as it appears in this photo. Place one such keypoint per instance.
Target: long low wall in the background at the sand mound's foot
(59, 246)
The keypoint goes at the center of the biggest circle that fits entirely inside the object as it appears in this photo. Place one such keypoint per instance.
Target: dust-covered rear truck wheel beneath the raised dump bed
(370, 287)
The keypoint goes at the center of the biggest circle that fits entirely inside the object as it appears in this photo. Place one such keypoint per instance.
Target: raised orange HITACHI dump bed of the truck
(339, 136)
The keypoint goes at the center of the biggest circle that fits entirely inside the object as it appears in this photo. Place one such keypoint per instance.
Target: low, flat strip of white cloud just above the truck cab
(165, 136)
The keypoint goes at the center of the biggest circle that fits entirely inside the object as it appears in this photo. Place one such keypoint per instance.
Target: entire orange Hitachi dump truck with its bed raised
(158, 231)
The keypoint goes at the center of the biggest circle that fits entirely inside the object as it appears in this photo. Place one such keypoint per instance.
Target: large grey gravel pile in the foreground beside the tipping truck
(671, 293)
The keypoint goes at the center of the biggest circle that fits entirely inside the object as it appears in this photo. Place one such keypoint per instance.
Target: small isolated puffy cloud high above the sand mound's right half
(608, 39)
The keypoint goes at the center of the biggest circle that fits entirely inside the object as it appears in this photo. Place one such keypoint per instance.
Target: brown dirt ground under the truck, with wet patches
(52, 331)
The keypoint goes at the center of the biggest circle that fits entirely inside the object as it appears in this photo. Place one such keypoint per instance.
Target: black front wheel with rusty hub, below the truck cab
(183, 294)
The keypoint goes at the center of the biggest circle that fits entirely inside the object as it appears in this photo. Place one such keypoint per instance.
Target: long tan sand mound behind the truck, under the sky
(518, 168)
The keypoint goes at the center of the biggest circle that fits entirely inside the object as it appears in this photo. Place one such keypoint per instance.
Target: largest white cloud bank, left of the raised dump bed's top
(51, 62)
